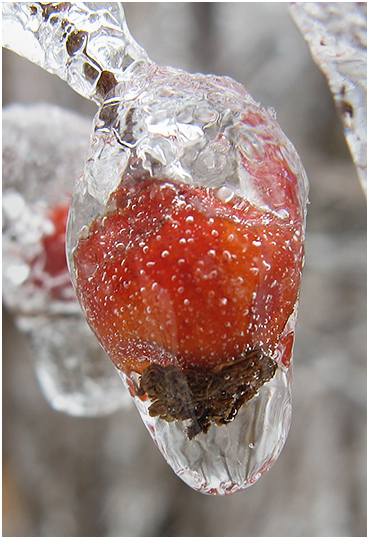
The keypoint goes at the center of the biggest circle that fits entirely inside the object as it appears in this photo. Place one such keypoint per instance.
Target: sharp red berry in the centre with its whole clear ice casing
(191, 211)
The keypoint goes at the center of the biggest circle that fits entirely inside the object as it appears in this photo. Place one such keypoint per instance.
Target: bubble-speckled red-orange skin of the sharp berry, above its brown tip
(172, 275)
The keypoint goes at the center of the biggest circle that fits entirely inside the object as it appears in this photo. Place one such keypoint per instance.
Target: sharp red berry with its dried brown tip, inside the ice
(190, 294)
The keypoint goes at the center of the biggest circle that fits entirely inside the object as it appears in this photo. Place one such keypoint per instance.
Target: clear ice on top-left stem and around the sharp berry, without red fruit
(186, 128)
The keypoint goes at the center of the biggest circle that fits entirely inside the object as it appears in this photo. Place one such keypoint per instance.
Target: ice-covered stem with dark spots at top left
(86, 44)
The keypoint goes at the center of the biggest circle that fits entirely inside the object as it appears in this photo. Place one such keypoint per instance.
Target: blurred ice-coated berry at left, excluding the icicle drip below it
(36, 196)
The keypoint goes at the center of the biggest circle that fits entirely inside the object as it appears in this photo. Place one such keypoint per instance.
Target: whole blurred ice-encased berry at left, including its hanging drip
(41, 155)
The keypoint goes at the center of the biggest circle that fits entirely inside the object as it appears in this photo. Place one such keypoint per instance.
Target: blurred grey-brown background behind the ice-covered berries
(65, 476)
